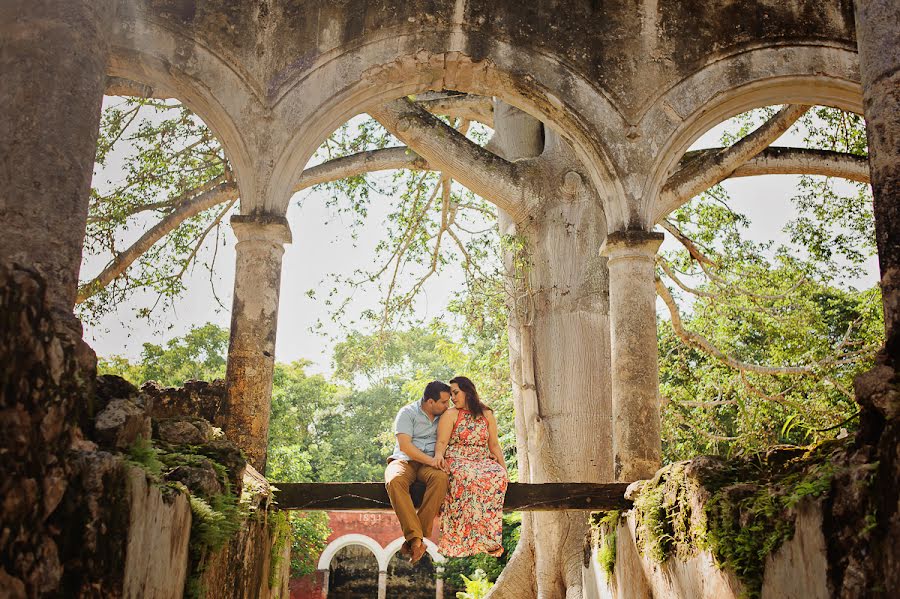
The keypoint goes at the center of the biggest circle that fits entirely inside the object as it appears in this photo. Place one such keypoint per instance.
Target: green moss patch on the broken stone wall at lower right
(740, 510)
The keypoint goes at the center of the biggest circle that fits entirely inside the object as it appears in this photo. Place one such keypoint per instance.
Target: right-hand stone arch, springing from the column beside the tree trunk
(822, 75)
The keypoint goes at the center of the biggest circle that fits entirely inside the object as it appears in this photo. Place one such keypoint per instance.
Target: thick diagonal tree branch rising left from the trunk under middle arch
(482, 171)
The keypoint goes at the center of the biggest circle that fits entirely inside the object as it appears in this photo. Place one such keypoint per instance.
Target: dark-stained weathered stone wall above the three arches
(278, 41)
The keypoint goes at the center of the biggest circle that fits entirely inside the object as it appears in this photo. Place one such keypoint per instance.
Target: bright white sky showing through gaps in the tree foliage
(319, 250)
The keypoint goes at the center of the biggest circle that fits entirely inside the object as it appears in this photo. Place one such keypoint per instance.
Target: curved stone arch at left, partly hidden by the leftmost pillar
(172, 64)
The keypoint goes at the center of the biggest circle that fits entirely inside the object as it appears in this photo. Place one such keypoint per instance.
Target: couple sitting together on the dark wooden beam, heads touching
(455, 451)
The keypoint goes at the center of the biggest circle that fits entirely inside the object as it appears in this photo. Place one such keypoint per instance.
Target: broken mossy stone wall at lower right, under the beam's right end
(793, 523)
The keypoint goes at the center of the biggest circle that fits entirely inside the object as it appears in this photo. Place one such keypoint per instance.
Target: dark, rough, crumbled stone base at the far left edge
(46, 376)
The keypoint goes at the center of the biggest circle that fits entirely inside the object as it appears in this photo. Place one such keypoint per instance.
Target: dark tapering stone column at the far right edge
(878, 38)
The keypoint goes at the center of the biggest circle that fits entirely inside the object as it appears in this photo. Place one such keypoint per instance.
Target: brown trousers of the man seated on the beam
(398, 476)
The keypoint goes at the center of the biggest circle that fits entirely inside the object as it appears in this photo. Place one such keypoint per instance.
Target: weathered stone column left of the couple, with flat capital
(254, 320)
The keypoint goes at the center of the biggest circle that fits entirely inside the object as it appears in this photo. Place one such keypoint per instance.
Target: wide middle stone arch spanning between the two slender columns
(381, 70)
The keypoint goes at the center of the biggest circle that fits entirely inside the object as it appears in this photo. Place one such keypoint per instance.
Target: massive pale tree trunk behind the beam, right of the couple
(559, 354)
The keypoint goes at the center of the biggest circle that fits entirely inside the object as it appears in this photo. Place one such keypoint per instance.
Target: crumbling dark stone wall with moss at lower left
(90, 508)
